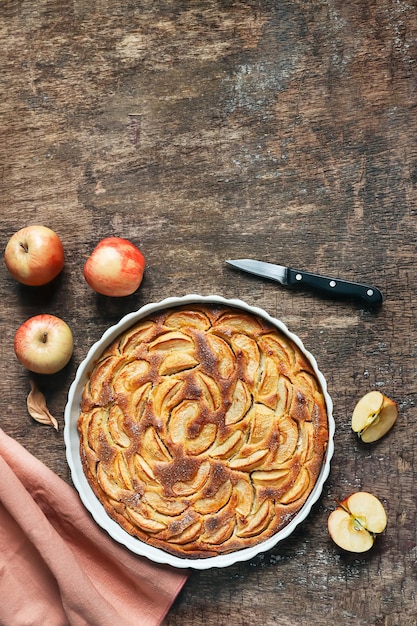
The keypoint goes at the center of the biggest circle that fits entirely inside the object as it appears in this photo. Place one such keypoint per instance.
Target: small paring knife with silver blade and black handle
(300, 279)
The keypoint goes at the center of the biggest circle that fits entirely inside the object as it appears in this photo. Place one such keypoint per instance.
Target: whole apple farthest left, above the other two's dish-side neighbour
(34, 255)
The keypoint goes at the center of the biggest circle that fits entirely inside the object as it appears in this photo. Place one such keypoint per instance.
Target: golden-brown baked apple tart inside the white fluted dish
(202, 430)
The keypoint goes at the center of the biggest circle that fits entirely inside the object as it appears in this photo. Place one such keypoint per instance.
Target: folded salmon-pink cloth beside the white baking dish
(57, 567)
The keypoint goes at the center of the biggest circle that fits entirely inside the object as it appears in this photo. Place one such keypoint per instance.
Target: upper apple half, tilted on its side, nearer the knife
(373, 416)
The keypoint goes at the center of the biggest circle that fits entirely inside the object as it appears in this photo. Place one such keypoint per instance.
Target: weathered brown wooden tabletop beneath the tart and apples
(280, 130)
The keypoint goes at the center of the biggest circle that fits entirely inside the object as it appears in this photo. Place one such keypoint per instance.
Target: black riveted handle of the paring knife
(333, 286)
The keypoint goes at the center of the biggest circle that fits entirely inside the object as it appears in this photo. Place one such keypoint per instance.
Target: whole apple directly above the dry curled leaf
(44, 344)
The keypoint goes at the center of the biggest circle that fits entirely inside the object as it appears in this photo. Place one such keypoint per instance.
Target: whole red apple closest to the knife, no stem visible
(115, 267)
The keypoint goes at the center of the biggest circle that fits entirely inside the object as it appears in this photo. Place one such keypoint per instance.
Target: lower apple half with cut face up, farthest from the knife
(357, 520)
